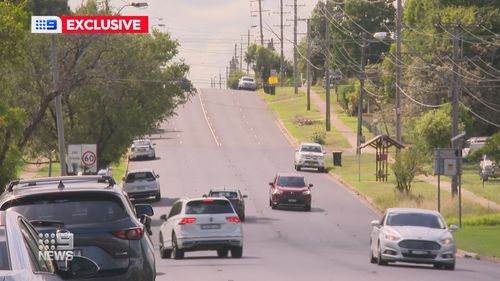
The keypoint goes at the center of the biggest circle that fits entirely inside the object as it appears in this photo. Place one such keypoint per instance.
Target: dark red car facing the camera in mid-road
(290, 190)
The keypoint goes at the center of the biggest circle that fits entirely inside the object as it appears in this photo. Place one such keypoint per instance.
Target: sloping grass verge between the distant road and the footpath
(288, 106)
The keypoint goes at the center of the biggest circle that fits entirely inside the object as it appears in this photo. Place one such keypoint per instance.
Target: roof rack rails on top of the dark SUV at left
(62, 180)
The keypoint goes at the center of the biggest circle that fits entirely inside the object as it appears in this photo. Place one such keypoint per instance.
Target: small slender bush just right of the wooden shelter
(407, 165)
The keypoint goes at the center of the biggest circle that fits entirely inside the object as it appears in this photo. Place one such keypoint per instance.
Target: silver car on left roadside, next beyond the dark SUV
(142, 183)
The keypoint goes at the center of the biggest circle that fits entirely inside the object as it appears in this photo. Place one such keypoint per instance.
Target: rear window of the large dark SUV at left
(72, 208)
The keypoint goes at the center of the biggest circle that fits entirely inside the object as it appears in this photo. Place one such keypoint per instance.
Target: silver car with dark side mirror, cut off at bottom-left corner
(19, 254)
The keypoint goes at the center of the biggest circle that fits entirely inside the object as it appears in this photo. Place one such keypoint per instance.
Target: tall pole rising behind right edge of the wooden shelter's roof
(399, 20)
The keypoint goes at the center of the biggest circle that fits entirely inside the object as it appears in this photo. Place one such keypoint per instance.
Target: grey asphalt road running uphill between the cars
(229, 139)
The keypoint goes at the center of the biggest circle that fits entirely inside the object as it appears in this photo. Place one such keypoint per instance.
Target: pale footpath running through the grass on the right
(350, 135)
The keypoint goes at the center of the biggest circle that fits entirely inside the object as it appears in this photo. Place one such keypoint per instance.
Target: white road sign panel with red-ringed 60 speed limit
(82, 158)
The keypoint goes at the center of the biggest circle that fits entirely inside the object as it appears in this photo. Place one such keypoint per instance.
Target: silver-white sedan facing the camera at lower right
(413, 235)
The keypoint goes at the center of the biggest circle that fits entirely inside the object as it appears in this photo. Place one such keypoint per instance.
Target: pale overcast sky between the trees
(207, 30)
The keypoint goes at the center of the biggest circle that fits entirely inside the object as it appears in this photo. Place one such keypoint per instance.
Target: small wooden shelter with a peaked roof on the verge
(382, 143)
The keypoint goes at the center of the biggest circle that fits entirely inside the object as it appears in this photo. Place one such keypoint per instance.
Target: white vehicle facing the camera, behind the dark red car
(310, 155)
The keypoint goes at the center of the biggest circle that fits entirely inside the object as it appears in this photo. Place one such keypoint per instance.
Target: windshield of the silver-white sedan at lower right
(415, 219)
